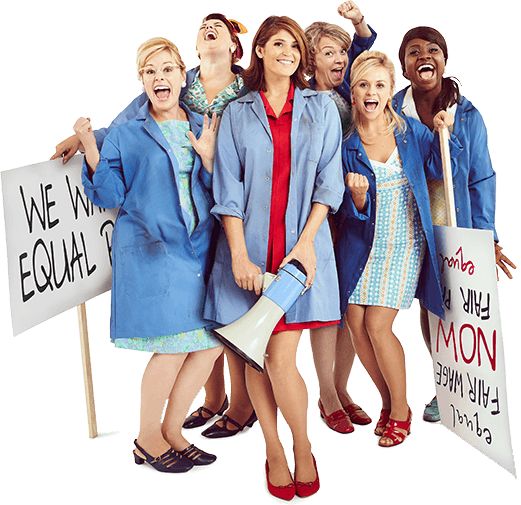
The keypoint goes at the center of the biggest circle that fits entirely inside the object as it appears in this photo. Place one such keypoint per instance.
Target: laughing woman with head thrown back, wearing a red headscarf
(208, 89)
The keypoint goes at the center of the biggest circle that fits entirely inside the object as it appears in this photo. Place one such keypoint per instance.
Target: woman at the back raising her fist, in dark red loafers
(331, 55)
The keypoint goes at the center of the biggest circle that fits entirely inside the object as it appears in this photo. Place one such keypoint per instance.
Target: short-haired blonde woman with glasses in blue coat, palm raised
(157, 168)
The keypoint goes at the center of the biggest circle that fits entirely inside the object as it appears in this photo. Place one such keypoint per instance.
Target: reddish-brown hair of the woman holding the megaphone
(254, 75)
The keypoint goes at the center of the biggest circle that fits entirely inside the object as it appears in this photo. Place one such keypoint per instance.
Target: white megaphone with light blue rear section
(250, 334)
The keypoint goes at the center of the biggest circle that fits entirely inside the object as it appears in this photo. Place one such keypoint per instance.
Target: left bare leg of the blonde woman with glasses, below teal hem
(158, 380)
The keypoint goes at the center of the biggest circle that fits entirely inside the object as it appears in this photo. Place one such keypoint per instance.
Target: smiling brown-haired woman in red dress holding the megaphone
(277, 176)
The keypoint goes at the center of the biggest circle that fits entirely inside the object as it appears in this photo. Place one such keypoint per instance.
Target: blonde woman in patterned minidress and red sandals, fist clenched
(385, 246)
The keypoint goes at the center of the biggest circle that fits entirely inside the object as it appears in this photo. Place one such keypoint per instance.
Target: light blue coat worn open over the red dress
(242, 188)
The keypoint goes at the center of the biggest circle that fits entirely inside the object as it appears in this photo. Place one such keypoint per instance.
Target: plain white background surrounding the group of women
(63, 59)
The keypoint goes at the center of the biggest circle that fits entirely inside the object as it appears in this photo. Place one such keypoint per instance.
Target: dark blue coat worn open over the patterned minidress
(419, 152)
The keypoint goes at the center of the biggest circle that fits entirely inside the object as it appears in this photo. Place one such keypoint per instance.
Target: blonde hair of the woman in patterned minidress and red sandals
(369, 60)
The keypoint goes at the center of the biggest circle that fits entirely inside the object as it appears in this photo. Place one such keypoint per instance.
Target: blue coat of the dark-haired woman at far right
(473, 176)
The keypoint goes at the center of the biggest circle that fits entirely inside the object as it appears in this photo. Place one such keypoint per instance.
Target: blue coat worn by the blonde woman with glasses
(158, 267)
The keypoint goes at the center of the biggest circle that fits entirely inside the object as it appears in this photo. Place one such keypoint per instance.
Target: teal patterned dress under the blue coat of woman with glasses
(175, 133)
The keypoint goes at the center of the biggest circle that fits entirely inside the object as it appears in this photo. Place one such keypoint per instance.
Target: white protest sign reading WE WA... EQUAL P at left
(58, 242)
